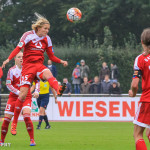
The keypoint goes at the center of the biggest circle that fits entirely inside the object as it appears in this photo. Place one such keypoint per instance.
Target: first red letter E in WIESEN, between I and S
(86, 108)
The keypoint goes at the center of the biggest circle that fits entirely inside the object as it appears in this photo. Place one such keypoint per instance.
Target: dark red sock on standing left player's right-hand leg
(29, 125)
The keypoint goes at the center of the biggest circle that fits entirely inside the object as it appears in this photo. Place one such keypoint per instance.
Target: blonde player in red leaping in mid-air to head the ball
(35, 43)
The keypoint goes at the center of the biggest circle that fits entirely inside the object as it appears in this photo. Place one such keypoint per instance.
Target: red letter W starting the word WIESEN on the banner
(65, 108)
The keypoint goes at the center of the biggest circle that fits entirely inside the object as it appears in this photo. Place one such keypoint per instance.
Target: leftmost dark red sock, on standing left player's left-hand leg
(4, 128)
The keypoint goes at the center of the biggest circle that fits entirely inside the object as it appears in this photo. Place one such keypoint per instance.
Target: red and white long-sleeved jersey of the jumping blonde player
(34, 48)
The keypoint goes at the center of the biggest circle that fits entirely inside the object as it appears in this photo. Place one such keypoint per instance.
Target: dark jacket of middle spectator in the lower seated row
(95, 88)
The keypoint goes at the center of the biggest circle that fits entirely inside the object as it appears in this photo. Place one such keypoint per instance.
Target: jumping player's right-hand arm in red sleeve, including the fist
(53, 58)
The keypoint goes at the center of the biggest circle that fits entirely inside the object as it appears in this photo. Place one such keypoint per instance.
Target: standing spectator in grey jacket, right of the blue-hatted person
(84, 69)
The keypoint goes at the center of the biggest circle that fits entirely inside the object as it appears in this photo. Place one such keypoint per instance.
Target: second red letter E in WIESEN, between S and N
(112, 108)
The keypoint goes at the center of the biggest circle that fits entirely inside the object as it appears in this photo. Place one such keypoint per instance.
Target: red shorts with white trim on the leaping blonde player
(31, 71)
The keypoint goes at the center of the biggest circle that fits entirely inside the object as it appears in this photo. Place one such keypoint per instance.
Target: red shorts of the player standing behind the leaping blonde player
(10, 106)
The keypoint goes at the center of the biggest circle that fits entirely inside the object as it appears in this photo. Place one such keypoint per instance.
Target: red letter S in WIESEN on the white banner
(99, 106)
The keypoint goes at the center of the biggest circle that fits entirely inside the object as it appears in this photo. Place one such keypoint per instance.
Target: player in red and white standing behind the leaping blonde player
(13, 84)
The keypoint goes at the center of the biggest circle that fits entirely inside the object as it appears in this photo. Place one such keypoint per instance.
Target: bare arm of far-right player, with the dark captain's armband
(134, 84)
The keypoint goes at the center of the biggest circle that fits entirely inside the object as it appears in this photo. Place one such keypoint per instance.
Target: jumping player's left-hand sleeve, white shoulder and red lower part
(23, 41)
